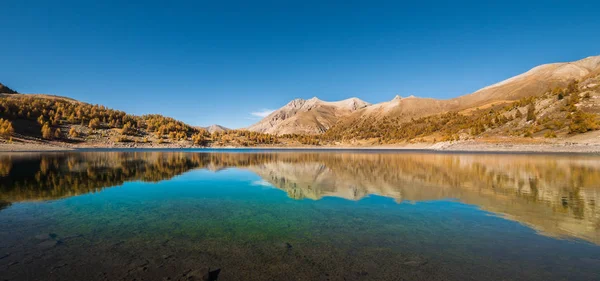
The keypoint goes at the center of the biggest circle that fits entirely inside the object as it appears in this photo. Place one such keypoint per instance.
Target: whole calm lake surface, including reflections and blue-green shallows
(330, 215)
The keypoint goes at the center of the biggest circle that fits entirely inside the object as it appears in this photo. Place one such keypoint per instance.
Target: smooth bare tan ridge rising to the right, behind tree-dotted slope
(532, 83)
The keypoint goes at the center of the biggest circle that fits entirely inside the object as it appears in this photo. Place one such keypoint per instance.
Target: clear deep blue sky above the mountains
(208, 62)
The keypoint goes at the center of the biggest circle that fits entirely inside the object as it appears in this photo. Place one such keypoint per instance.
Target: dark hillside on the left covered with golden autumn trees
(62, 121)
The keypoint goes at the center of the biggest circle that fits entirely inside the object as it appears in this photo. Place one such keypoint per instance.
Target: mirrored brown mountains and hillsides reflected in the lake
(554, 194)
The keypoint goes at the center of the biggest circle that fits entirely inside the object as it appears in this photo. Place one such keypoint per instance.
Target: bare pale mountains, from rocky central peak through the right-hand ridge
(315, 116)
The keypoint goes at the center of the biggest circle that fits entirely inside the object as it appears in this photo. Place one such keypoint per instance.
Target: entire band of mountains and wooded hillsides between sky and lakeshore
(558, 100)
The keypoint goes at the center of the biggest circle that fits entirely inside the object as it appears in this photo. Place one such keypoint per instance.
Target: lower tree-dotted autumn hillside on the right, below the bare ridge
(561, 112)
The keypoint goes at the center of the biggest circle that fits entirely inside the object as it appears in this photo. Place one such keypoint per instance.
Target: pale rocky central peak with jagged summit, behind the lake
(312, 116)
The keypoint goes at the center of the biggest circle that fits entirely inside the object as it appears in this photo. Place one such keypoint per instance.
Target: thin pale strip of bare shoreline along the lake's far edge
(441, 147)
